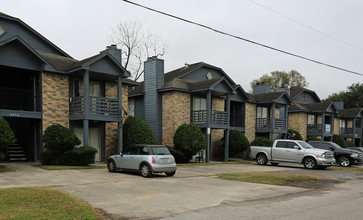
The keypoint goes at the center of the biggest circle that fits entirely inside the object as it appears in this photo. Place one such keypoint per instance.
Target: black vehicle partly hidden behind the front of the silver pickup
(345, 157)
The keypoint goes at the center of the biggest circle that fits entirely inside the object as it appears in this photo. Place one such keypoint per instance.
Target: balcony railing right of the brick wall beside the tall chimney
(216, 117)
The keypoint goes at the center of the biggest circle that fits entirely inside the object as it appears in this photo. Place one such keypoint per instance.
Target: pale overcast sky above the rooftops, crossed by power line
(82, 28)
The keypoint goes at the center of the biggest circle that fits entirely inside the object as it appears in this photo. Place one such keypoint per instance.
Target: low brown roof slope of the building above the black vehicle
(311, 107)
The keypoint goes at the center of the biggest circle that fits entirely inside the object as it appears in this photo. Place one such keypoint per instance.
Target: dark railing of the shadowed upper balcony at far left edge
(17, 99)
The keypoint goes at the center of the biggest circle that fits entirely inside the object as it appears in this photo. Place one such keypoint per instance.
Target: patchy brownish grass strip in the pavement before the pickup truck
(273, 178)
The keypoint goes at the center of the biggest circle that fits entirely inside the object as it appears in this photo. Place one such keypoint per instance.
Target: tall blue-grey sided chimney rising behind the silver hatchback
(153, 80)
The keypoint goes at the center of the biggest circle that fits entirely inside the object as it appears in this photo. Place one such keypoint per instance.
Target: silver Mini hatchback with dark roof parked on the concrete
(146, 159)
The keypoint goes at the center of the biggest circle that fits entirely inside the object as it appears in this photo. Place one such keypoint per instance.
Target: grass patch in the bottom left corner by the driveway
(44, 203)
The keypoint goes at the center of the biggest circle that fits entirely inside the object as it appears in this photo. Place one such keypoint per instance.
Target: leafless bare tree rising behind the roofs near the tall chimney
(136, 46)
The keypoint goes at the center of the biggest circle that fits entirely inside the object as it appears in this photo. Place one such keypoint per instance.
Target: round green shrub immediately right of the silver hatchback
(189, 139)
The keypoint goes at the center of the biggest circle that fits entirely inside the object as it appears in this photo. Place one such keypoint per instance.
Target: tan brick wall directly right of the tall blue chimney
(175, 112)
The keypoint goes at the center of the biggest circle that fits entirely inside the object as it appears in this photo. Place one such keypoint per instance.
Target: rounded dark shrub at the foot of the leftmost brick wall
(59, 139)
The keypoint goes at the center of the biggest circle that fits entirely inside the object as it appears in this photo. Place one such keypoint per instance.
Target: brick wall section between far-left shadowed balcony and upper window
(55, 99)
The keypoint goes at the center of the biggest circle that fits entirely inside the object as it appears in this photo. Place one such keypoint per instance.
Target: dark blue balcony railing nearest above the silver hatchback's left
(97, 105)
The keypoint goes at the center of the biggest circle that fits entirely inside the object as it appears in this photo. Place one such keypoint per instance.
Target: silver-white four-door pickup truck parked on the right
(293, 151)
